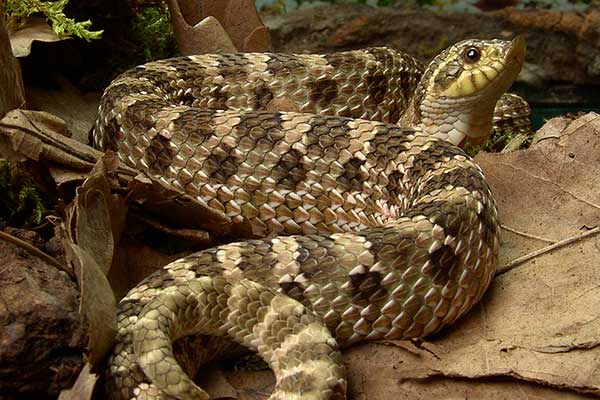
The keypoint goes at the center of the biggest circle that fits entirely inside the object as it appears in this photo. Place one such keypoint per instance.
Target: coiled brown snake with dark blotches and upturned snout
(368, 221)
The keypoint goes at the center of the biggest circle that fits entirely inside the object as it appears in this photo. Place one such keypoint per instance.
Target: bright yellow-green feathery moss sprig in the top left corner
(17, 11)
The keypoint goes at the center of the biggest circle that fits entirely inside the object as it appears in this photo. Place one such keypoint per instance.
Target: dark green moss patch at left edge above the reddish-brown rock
(20, 203)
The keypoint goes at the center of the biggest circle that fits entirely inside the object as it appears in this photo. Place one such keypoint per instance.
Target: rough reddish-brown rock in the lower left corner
(41, 335)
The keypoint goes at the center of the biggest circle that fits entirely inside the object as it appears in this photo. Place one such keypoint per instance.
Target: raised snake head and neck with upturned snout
(457, 94)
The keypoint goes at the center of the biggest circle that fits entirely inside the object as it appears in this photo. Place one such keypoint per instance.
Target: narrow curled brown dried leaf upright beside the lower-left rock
(95, 218)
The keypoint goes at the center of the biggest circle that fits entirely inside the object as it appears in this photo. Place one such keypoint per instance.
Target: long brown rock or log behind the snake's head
(562, 46)
